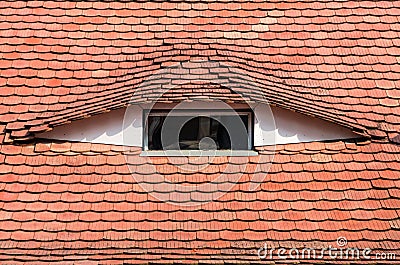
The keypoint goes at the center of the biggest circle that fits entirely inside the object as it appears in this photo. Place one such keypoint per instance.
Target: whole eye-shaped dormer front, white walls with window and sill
(202, 127)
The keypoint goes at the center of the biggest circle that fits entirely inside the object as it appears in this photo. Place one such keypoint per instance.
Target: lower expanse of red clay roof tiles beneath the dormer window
(57, 203)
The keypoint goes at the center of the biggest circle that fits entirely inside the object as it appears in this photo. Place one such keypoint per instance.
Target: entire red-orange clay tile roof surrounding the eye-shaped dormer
(78, 202)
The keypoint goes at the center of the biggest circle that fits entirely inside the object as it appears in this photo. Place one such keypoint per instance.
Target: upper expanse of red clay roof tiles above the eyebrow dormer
(339, 58)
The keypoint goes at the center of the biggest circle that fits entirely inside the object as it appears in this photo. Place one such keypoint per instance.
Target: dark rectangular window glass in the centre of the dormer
(188, 131)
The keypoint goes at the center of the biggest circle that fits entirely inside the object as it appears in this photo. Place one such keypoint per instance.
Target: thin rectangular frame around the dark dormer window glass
(196, 113)
